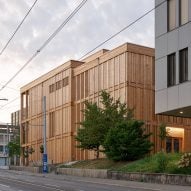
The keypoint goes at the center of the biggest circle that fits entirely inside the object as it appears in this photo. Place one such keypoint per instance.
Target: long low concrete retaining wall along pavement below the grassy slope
(141, 177)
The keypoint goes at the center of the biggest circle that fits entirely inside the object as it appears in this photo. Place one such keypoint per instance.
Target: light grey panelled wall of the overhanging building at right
(171, 100)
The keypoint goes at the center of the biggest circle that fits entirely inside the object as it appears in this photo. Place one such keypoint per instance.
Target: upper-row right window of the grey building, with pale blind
(183, 11)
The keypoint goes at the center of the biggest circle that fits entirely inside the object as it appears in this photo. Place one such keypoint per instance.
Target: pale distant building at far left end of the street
(5, 137)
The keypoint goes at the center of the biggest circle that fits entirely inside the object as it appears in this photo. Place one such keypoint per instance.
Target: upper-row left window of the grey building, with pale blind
(171, 14)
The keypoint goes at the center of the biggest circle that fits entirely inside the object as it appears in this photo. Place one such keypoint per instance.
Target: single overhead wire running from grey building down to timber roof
(123, 29)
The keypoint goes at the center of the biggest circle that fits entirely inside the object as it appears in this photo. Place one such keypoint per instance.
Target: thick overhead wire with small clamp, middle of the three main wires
(47, 41)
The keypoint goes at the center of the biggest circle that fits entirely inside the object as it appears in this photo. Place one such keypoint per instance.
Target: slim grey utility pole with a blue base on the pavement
(45, 158)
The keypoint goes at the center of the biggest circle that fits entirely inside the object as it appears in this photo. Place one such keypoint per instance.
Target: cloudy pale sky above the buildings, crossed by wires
(93, 24)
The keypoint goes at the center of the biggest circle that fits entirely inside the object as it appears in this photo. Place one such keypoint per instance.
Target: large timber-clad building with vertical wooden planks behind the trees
(126, 72)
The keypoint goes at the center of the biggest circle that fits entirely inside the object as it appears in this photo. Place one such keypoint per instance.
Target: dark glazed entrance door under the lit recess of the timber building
(173, 144)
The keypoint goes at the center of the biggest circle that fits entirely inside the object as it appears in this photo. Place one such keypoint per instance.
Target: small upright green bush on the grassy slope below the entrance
(162, 162)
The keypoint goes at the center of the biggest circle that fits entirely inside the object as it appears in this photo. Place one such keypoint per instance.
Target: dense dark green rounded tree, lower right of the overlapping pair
(127, 141)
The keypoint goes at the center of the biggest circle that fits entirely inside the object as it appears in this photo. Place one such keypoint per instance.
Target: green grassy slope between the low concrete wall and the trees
(147, 165)
